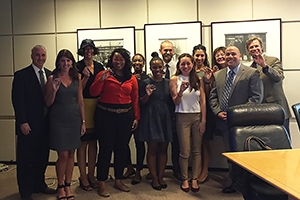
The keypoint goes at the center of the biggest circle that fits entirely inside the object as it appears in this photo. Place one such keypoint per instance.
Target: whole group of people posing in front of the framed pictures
(183, 103)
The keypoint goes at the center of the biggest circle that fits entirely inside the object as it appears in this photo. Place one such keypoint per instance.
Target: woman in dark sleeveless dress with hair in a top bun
(156, 120)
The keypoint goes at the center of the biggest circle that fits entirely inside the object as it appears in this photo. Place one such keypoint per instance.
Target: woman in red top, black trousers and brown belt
(117, 114)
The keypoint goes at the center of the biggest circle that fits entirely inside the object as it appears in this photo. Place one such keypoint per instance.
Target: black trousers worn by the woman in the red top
(114, 131)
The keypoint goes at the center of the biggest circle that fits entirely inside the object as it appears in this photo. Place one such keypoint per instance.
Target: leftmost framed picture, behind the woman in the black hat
(107, 39)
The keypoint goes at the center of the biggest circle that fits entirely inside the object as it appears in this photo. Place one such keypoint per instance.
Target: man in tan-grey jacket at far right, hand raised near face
(271, 74)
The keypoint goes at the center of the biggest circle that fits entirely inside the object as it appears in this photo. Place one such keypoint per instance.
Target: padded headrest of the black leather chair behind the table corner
(255, 114)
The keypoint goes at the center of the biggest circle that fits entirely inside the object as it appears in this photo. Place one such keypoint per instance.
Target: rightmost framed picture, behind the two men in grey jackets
(237, 32)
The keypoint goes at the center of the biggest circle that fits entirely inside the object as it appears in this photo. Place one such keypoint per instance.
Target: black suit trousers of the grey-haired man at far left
(32, 161)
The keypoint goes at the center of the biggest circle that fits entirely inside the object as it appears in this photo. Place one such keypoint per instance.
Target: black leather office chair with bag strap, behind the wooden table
(266, 122)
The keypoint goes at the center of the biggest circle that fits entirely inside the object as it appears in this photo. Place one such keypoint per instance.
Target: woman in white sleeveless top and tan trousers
(188, 94)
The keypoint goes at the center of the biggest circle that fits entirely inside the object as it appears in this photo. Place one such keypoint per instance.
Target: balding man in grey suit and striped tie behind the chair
(245, 87)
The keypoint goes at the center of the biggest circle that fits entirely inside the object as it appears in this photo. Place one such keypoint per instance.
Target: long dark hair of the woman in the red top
(128, 64)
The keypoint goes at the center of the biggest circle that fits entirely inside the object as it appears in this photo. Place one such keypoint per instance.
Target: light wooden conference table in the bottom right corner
(280, 168)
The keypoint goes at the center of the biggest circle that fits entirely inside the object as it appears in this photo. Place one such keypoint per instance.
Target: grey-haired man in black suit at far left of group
(31, 125)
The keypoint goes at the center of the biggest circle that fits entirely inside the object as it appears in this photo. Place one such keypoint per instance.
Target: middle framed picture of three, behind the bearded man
(184, 37)
